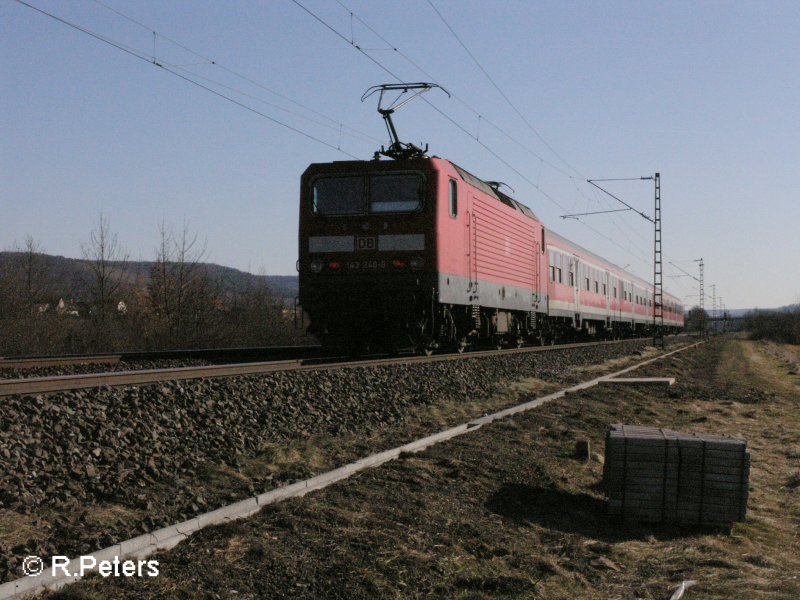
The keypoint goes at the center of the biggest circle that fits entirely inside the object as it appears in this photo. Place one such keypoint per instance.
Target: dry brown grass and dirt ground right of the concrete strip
(509, 511)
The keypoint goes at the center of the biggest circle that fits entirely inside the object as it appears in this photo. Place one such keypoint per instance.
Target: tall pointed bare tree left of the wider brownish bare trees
(107, 276)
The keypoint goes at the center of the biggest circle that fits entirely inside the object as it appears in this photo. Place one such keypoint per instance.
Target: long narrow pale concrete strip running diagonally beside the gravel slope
(168, 537)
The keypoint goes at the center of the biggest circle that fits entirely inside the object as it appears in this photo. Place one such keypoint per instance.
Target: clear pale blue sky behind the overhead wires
(707, 93)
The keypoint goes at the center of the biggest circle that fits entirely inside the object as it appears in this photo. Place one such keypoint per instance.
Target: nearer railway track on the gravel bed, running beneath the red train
(39, 385)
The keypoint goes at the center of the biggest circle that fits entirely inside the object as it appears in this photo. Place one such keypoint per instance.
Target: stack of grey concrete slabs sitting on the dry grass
(658, 475)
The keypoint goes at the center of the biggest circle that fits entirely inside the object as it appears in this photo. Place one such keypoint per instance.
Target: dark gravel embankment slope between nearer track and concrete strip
(82, 470)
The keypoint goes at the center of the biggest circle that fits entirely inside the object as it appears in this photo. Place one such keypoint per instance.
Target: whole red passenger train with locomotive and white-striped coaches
(417, 252)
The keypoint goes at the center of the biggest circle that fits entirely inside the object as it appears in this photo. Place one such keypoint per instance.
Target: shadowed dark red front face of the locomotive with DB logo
(367, 250)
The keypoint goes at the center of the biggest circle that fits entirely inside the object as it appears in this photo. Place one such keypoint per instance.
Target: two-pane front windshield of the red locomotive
(336, 196)
